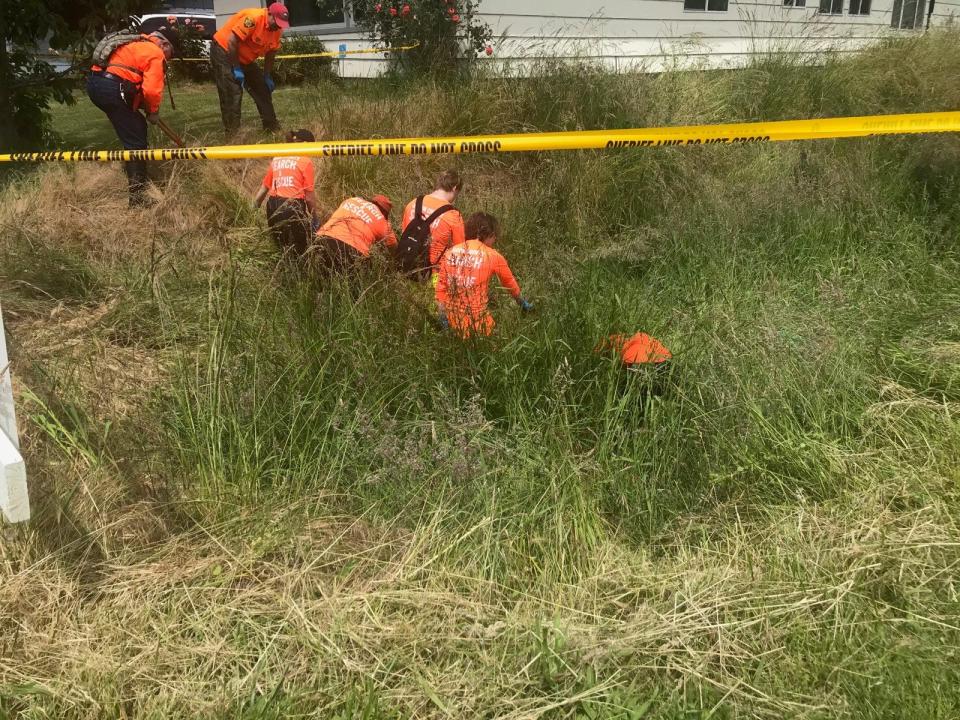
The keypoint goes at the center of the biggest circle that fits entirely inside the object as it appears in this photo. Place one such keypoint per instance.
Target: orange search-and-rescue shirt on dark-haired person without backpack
(463, 286)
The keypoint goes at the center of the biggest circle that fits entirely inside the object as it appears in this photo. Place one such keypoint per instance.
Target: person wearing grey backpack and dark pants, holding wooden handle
(133, 79)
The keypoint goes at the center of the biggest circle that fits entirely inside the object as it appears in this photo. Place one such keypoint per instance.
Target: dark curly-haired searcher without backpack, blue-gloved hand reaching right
(463, 280)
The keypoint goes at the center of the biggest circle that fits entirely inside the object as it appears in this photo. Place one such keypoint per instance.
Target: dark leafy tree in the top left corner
(28, 85)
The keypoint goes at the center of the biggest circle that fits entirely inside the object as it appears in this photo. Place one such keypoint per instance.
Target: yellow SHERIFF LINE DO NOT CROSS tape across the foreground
(735, 134)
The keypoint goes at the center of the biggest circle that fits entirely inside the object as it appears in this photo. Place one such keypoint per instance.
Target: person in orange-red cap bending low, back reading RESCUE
(358, 224)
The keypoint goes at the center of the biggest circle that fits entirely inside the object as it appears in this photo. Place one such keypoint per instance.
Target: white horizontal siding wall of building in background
(648, 34)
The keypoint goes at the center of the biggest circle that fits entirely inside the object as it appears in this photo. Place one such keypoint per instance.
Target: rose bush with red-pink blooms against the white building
(448, 34)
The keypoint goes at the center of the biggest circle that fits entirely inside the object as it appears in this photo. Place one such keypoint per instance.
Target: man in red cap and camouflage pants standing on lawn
(248, 35)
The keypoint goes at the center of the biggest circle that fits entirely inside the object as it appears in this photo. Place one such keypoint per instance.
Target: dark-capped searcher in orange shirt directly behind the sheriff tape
(291, 202)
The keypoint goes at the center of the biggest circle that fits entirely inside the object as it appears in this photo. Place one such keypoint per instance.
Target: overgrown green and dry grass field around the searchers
(261, 496)
